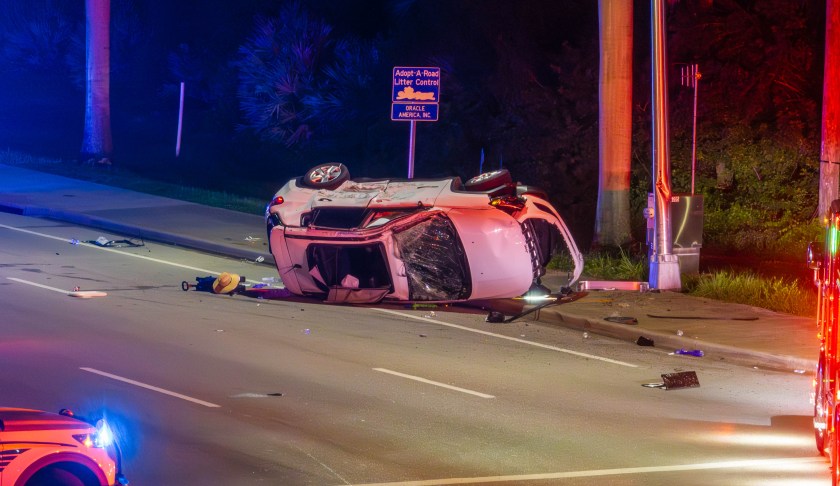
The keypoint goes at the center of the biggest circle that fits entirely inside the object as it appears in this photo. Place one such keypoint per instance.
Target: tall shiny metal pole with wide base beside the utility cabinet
(664, 265)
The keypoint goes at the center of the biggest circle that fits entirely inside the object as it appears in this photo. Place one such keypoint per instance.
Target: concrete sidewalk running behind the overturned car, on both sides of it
(730, 332)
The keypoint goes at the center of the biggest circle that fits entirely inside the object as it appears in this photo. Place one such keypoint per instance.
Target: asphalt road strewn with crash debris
(209, 389)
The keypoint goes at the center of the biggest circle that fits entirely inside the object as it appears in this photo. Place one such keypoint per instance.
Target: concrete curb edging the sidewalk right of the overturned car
(670, 342)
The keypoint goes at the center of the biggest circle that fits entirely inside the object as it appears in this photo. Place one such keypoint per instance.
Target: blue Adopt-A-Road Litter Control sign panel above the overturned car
(415, 94)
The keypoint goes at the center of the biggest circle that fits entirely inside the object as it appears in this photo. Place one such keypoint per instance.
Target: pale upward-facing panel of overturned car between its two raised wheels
(375, 194)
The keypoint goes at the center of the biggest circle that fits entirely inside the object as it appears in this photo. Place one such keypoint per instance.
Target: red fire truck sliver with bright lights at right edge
(825, 261)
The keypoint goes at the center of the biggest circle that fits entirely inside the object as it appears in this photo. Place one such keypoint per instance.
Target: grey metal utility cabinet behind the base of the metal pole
(686, 229)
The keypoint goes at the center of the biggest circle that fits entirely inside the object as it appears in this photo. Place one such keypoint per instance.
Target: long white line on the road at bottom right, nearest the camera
(764, 463)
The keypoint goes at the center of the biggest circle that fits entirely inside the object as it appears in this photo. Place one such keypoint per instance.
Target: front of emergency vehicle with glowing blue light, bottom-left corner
(40, 448)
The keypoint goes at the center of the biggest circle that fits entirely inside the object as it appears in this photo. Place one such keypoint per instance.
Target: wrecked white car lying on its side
(429, 240)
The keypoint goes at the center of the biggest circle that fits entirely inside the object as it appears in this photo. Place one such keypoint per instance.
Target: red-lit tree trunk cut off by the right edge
(830, 148)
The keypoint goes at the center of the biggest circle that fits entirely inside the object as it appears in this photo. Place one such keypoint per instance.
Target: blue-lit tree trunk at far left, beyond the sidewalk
(96, 141)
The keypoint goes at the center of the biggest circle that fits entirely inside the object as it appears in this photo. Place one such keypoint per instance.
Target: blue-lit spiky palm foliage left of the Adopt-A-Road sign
(298, 81)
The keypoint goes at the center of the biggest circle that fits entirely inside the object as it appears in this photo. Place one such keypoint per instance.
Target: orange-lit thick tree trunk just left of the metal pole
(615, 91)
